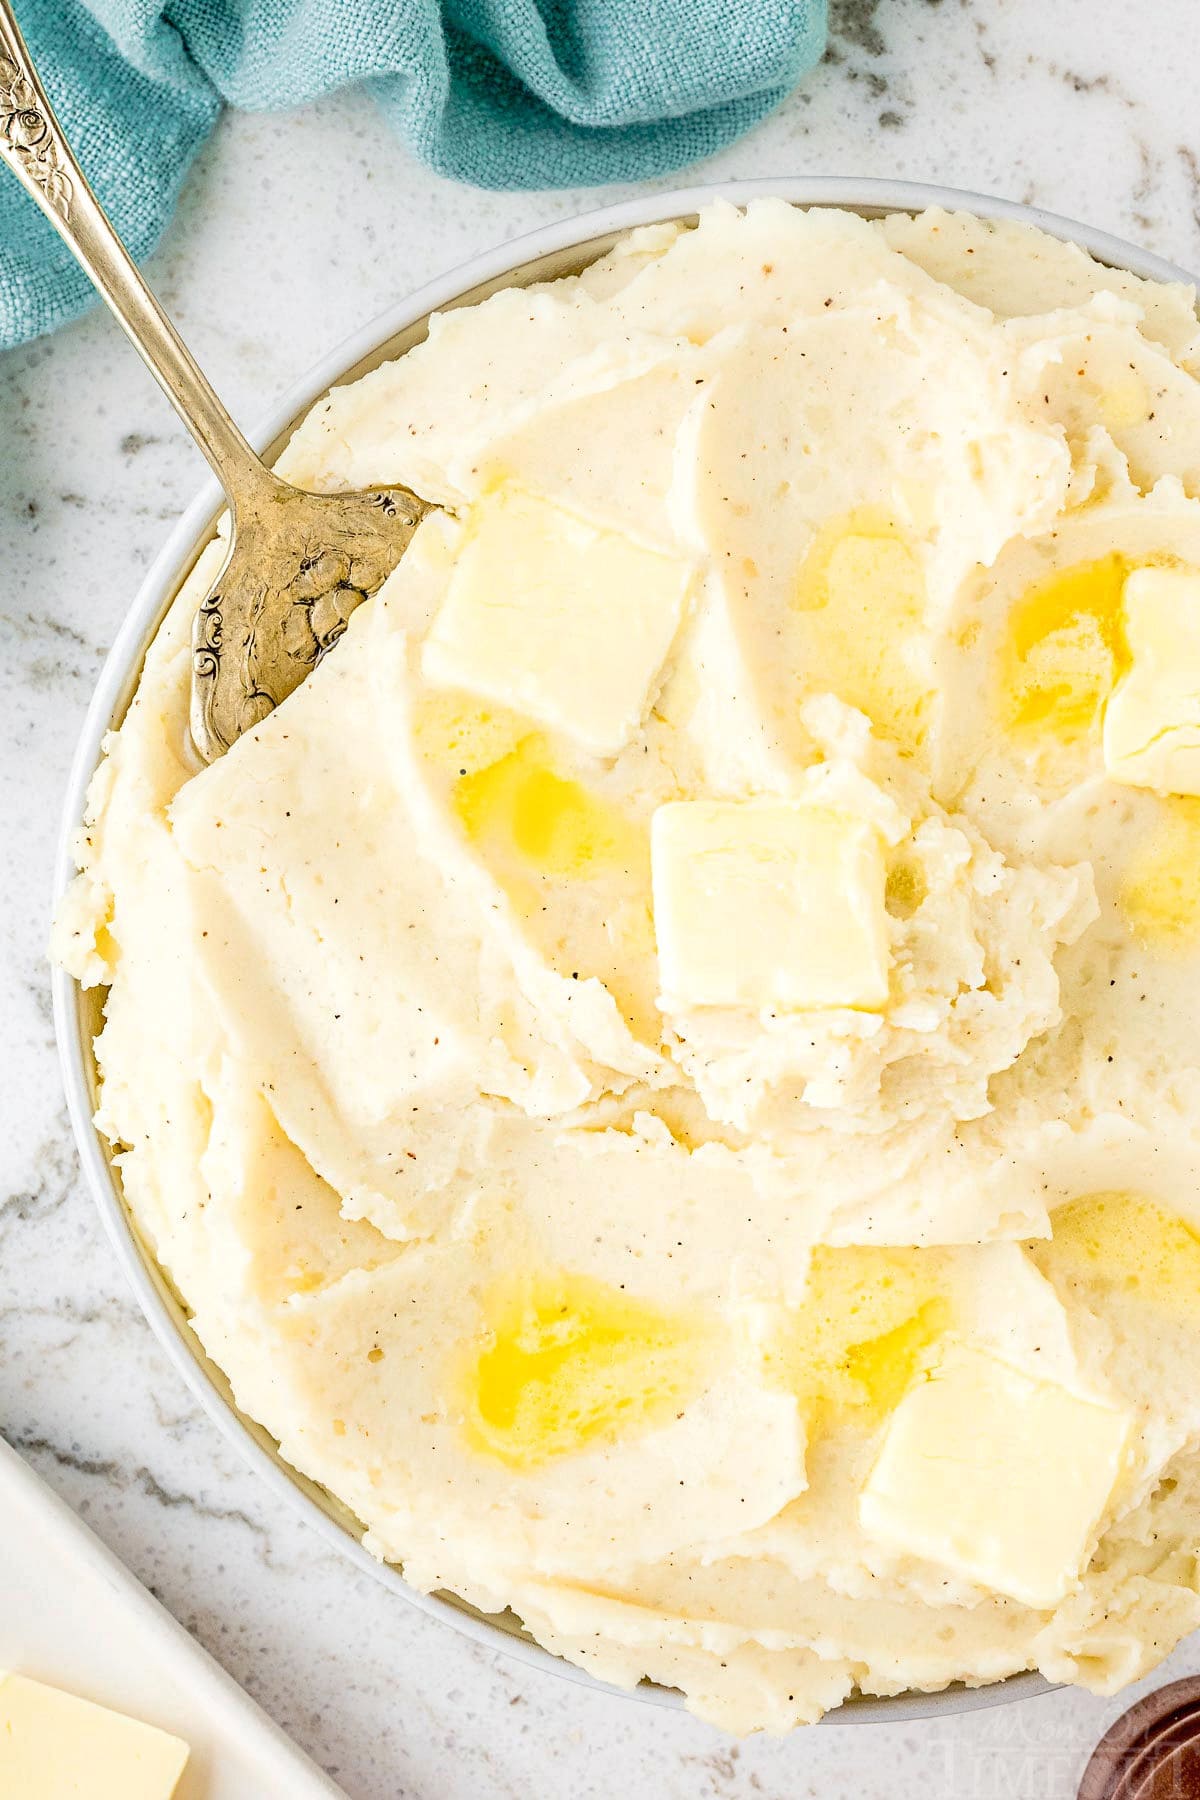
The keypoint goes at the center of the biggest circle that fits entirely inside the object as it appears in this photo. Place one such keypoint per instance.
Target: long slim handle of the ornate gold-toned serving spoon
(33, 145)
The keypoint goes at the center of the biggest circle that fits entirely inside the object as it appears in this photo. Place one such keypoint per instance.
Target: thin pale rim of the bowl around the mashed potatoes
(121, 669)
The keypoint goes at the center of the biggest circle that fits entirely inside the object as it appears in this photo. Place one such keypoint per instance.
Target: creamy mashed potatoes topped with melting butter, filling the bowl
(668, 1072)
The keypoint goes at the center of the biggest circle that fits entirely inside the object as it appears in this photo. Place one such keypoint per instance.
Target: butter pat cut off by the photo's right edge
(1152, 724)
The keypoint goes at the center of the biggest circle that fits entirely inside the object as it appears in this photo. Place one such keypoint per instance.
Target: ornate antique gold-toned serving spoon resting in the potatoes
(298, 562)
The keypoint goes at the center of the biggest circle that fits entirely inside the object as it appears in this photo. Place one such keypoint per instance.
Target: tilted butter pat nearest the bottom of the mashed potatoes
(996, 1475)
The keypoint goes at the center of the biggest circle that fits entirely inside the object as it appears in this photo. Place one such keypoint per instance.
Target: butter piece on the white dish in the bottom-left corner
(55, 1745)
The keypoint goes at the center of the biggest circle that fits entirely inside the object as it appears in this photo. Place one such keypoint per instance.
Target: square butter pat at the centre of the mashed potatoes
(769, 904)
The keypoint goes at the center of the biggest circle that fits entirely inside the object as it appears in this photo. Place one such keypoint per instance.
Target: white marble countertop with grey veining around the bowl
(292, 231)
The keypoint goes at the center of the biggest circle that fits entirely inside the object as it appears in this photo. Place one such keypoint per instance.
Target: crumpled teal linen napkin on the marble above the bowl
(496, 93)
